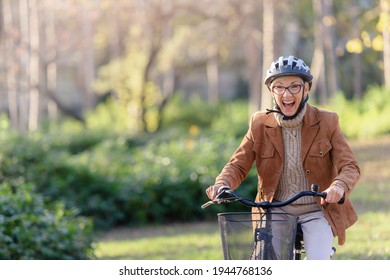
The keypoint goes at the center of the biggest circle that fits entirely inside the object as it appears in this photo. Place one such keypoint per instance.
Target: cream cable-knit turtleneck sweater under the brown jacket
(293, 179)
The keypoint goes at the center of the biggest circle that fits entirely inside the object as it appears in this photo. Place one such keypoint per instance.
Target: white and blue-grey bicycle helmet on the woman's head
(288, 66)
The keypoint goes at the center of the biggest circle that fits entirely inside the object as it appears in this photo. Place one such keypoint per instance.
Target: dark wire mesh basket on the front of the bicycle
(258, 236)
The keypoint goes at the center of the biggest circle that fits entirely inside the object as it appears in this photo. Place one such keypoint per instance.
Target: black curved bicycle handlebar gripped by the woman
(226, 195)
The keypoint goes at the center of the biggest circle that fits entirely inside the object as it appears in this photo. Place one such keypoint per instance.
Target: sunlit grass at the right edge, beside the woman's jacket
(369, 238)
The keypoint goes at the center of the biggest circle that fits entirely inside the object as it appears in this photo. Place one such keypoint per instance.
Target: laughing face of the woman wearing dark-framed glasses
(288, 99)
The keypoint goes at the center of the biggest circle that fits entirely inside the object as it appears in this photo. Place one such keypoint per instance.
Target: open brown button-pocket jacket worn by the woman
(326, 157)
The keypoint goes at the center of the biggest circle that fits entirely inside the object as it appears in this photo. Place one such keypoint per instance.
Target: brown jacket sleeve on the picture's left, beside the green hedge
(240, 163)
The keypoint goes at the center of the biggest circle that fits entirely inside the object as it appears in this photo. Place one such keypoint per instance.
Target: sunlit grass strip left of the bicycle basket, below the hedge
(171, 242)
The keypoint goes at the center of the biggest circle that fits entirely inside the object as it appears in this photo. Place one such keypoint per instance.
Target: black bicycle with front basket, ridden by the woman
(261, 232)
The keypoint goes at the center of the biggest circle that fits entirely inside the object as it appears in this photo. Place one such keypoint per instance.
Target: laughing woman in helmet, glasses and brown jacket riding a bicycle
(296, 145)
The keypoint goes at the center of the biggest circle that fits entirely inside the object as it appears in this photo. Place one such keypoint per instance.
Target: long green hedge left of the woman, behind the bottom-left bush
(117, 179)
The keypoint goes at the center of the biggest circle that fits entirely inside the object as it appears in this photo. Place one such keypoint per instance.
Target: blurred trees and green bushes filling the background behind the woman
(120, 113)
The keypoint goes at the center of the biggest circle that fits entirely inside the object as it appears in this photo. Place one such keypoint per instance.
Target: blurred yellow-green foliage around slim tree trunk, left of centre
(136, 92)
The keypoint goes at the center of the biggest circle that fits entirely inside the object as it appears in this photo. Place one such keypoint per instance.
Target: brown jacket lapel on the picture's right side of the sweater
(310, 129)
